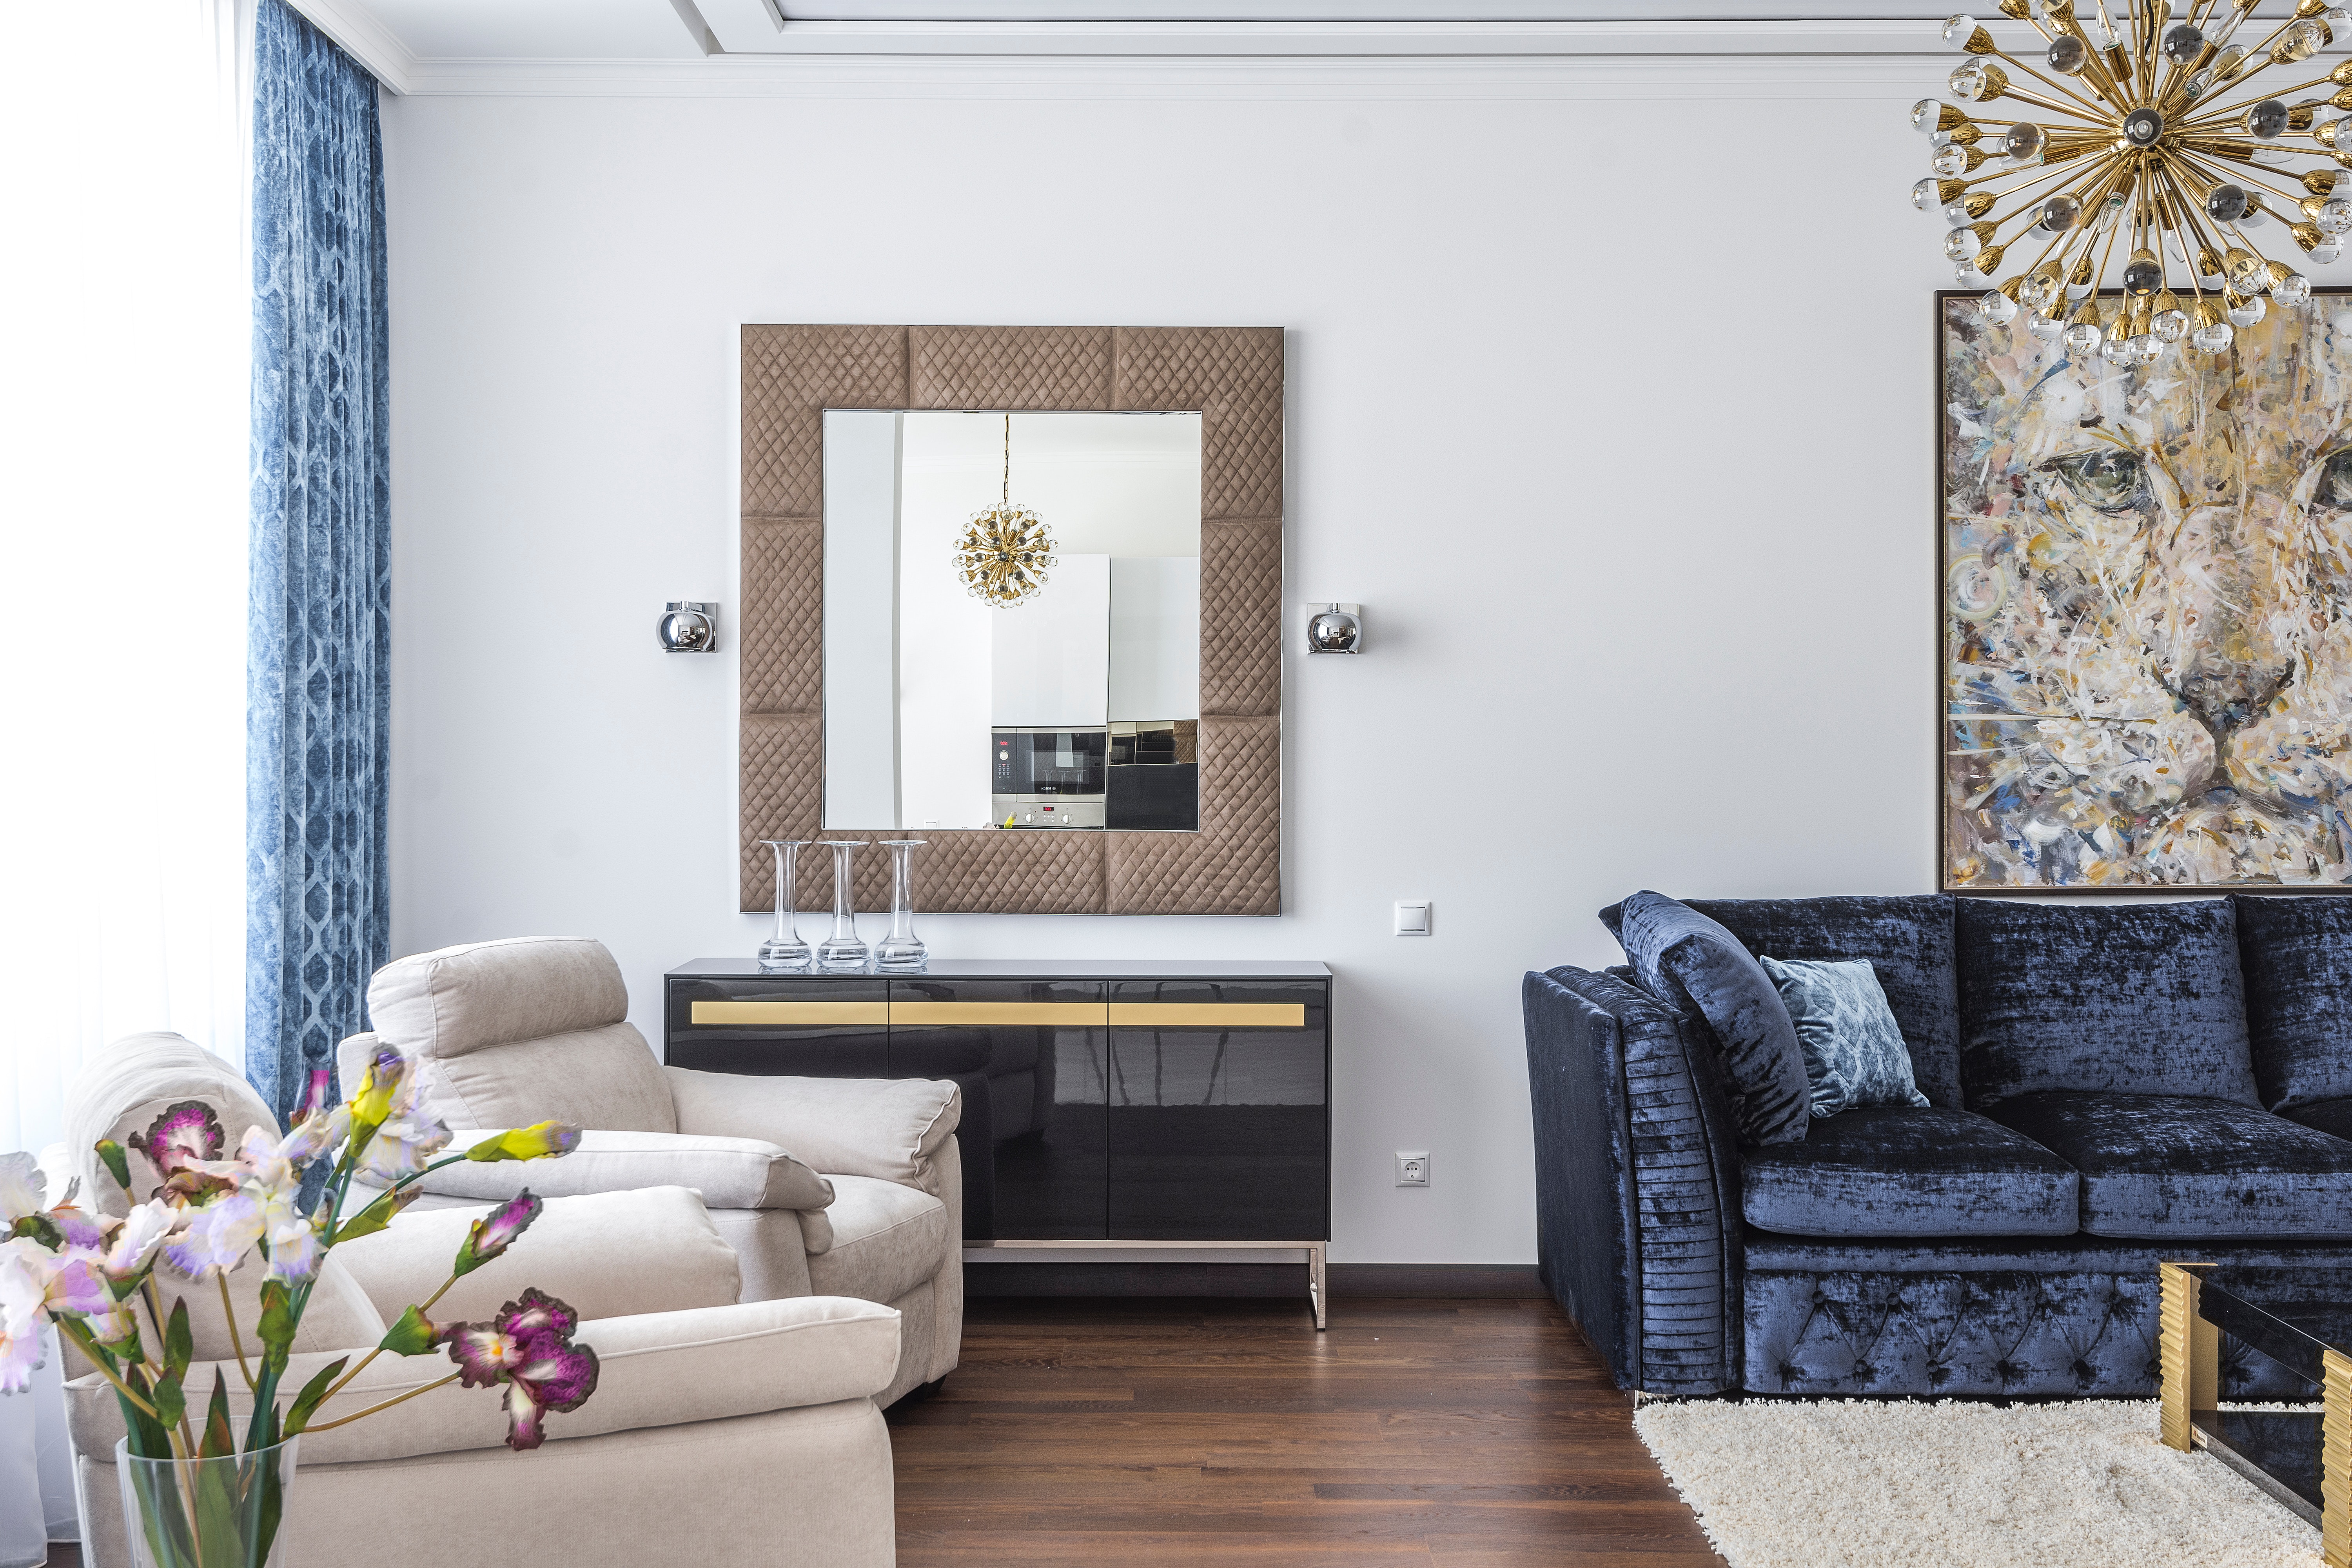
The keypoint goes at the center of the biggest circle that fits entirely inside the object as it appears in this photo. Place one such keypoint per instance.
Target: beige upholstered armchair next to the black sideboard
(822, 1186)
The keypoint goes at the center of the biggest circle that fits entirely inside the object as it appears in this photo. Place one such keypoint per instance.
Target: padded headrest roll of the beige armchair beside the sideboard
(479, 996)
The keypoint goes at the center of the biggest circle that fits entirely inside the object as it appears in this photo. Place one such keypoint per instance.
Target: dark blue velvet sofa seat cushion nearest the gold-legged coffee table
(2174, 1167)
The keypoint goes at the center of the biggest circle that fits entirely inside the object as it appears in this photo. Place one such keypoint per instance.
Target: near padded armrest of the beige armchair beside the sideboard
(728, 1172)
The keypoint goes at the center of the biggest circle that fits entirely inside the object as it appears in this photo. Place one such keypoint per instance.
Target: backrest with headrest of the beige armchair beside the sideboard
(516, 1031)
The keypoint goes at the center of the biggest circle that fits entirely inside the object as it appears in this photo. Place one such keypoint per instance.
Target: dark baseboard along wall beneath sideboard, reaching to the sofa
(1358, 1280)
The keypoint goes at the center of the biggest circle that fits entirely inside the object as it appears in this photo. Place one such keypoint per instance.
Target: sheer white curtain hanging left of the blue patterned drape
(126, 319)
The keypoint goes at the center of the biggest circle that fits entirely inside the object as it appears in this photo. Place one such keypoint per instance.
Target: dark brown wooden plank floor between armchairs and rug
(1144, 1433)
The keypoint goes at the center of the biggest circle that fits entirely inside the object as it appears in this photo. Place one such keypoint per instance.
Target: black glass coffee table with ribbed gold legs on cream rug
(2304, 1459)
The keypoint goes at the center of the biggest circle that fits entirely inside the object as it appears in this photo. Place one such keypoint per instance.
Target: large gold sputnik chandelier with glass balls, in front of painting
(2156, 156)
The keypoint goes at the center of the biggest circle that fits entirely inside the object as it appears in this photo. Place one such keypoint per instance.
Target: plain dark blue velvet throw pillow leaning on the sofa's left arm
(1685, 958)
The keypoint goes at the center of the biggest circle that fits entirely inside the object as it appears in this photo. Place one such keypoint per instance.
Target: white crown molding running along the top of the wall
(1591, 76)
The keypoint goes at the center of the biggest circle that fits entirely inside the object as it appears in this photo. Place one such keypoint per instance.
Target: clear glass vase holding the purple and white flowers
(206, 1513)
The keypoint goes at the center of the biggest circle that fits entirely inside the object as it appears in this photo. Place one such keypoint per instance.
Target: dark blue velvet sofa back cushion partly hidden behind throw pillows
(1909, 946)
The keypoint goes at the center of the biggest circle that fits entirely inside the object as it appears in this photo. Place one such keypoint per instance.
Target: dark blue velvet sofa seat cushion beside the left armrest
(1909, 1172)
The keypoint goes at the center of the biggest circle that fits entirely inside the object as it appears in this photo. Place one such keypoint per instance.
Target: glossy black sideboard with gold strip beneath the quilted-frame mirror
(1104, 1104)
